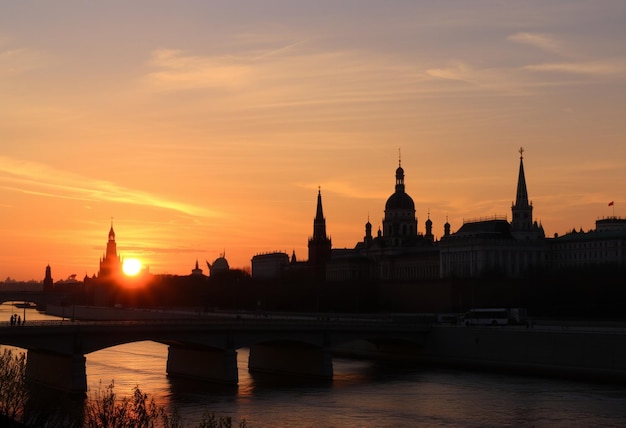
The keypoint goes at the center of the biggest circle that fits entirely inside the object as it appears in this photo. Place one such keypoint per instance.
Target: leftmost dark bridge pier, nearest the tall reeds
(57, 371)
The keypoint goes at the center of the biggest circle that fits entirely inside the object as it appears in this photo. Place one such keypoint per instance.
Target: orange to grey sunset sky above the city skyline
(203, 127)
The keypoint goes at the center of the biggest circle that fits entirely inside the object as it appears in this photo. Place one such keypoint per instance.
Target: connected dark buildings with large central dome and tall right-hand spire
(484, 247)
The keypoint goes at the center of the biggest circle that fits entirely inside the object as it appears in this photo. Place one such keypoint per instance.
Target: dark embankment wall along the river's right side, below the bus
(572, 352)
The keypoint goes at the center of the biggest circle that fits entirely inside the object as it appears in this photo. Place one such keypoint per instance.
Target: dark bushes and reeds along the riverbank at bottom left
(103, 409)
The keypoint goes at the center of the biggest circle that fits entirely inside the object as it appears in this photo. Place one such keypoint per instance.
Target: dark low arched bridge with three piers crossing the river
(207, 348)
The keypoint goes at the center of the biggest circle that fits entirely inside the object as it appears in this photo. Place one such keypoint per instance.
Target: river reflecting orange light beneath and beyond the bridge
(361, 394)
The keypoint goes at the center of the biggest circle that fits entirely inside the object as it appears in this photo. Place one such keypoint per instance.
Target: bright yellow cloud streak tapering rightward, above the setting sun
(39, 179)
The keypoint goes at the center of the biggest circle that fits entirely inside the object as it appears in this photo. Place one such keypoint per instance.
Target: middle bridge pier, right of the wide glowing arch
(213, 365)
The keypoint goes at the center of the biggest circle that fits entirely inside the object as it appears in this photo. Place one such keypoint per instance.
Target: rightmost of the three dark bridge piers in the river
(291, 359)
